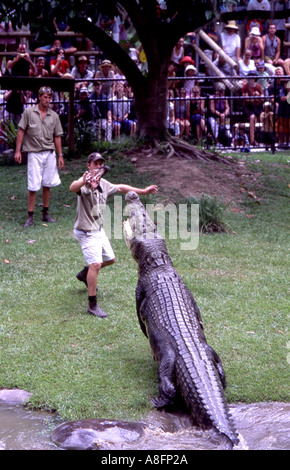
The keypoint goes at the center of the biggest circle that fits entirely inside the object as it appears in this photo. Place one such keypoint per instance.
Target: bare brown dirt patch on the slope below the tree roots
(177, 175)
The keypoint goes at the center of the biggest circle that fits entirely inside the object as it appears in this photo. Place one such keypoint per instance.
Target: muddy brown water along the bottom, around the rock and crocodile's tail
(262, 426)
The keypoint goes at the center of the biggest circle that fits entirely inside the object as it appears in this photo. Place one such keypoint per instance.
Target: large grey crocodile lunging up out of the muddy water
(170, 318)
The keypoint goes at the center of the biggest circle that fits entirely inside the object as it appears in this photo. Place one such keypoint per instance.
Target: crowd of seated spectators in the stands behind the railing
(228, 84)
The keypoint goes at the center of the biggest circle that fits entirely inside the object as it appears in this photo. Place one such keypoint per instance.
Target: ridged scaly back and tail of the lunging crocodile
(169, 307)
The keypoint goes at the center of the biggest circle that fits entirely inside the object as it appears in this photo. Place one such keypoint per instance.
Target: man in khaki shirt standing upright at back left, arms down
(39, 134)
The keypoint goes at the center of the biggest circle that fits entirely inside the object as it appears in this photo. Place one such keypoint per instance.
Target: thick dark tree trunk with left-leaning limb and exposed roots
(150, 92)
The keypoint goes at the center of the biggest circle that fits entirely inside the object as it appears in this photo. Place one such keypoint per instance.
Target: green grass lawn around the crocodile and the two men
(85, 367)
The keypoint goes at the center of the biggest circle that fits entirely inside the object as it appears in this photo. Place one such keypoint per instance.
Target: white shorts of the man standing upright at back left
(42, 170)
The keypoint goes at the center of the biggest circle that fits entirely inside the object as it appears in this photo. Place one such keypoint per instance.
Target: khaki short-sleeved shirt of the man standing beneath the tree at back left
(39, 133)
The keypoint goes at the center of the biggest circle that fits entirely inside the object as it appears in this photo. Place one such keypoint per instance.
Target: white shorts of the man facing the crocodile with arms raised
(95, 245)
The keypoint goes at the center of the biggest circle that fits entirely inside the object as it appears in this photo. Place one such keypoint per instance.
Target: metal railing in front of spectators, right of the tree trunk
(234, 121)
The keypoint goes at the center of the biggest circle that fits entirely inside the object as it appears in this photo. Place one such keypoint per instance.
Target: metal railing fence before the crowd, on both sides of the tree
(250, 122)
